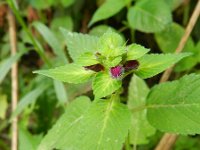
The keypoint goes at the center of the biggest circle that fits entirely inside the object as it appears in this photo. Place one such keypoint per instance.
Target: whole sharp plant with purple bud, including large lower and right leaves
(107, 122)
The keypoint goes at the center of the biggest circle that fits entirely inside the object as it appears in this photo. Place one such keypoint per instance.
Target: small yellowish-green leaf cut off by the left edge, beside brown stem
(3, 106)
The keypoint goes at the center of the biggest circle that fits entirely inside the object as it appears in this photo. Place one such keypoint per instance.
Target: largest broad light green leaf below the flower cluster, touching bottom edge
(89, 126)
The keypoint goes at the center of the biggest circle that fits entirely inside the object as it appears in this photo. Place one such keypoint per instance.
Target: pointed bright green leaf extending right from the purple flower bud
(153, 64)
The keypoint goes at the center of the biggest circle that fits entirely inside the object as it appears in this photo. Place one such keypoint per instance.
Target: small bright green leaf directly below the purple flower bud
(104, 85)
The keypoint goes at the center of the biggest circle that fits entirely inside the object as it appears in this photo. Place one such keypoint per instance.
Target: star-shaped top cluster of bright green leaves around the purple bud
(107, 59)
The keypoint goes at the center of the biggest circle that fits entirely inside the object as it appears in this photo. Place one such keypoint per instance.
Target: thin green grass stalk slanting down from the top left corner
(22, 23)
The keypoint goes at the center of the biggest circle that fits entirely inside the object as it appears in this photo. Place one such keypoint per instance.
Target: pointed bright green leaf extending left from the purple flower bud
(71, 73)
